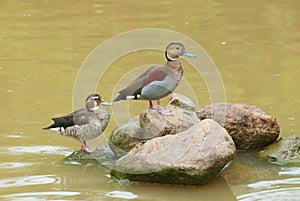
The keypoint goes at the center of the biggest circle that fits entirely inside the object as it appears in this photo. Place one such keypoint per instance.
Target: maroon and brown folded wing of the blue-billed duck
(155, 73)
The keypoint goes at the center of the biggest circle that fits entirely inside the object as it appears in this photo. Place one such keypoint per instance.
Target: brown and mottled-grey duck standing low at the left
(84, 124)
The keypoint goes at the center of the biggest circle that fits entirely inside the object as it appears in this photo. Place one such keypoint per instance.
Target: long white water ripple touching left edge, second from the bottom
(27, 181)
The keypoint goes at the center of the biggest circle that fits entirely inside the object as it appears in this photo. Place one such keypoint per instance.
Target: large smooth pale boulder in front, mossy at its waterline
(193, 156)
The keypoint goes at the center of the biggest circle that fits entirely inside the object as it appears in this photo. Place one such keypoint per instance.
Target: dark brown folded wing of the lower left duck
(79, 117)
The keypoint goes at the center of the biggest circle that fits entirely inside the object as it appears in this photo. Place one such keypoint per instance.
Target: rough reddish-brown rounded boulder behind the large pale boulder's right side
(249, 126)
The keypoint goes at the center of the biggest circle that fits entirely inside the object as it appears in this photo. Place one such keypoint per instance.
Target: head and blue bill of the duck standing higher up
(175, 50)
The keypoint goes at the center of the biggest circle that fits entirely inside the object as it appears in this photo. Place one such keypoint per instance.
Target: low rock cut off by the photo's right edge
(283, 151)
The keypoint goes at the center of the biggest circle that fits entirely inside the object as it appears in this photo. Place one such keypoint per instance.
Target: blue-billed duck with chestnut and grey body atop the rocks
(159, 80)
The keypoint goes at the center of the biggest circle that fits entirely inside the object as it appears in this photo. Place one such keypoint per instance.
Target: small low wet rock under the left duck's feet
(102, 155)
